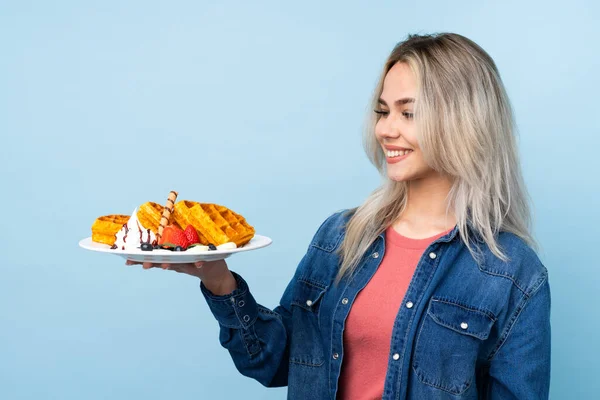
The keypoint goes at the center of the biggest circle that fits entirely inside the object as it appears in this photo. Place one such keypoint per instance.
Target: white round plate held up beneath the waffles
(175, 257)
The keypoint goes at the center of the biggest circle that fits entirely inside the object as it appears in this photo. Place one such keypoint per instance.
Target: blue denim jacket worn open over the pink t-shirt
(466, 330)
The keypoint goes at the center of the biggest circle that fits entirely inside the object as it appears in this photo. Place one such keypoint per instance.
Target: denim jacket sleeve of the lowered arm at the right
(521, 367)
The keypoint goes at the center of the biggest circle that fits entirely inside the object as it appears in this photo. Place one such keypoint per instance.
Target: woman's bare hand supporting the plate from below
(214, 274)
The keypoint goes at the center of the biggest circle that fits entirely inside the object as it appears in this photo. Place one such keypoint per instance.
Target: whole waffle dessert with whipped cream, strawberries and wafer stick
(178, 226)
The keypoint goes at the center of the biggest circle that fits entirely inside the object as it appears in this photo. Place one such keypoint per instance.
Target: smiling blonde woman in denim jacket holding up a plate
(428, 290)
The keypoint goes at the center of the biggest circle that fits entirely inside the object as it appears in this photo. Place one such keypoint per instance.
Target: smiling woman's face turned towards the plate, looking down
(396, 130)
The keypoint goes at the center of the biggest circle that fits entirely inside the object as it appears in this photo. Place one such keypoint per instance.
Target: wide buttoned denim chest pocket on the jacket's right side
(448, 343)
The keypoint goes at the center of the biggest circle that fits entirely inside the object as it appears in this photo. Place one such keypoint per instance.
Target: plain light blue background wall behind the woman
(258, 106)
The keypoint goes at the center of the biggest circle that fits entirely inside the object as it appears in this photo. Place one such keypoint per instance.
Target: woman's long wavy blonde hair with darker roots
(465, 128)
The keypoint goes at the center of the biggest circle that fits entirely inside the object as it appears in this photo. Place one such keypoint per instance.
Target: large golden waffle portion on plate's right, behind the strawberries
(215, 224)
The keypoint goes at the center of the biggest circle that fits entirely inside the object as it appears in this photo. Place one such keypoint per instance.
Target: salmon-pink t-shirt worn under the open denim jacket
(368, 331)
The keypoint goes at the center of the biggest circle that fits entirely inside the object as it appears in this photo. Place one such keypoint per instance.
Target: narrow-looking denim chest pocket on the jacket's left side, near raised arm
(306, 346)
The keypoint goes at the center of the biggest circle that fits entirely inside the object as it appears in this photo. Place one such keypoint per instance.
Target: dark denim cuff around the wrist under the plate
(237, 309)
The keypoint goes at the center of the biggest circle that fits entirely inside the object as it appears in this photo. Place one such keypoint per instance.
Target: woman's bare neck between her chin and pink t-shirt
(425, 212)
